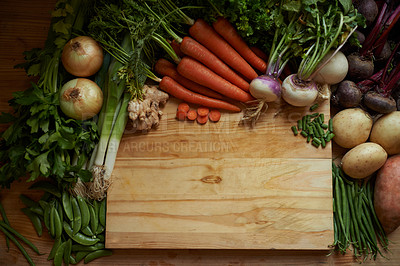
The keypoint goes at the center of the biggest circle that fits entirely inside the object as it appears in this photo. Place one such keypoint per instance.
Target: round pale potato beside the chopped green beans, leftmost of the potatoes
(351, 127)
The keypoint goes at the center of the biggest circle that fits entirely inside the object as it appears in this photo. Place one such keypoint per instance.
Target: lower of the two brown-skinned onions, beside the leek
(81, 99)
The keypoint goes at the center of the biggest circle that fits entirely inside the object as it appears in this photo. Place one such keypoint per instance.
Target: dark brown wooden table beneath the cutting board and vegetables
(24, 25)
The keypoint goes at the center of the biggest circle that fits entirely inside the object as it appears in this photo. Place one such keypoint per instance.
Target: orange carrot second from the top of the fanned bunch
(207, 36)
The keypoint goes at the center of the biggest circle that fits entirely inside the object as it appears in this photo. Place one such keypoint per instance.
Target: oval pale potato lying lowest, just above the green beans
(363, 160)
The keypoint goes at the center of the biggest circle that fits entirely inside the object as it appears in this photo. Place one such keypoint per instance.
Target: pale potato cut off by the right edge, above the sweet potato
(386, 132)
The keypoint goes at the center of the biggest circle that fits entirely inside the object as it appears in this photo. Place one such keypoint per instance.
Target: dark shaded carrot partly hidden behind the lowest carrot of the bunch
(166, 68)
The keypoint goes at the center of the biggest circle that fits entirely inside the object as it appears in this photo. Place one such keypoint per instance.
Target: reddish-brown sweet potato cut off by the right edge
(387, 196)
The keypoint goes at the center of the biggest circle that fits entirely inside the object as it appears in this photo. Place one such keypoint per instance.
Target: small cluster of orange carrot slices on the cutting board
(201, 115)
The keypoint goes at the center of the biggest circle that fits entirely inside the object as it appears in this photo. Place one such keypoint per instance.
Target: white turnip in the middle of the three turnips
(297, 92)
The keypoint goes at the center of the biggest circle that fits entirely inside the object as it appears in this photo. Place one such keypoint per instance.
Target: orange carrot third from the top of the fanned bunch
(194, 49)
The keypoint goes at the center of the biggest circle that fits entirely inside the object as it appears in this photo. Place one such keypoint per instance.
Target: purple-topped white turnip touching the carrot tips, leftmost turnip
(266, 88)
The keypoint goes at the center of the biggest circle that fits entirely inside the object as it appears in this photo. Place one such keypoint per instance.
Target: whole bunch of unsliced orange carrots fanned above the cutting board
(216, 66)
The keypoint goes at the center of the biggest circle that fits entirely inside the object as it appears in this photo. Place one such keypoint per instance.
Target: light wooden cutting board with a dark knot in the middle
(222, 185)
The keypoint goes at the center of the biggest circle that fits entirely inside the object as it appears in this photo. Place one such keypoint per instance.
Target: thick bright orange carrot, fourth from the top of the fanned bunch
(197, 72)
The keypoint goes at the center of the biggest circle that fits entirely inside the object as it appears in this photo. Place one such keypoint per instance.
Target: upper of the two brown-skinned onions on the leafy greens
(82, 56)
